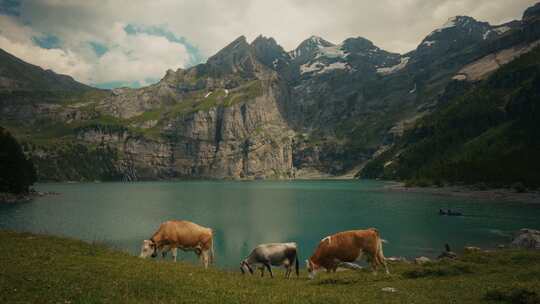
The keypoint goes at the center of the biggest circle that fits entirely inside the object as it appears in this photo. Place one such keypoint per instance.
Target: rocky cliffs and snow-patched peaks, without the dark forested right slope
(252, 110)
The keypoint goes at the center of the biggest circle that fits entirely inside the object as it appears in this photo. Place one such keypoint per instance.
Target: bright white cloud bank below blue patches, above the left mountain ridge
(130, 58)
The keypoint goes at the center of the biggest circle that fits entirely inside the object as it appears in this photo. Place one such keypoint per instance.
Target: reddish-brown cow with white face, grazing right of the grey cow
(347, 247)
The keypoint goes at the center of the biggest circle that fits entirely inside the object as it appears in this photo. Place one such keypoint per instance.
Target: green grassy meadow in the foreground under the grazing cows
(44, 269)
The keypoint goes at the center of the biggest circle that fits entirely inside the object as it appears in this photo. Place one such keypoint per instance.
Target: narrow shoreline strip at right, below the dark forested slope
(499, 194)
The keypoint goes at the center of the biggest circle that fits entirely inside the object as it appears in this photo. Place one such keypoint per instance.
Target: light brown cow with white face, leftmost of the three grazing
(183, 235)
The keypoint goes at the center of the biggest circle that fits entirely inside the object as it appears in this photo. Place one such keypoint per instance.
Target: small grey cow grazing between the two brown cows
(274, 254)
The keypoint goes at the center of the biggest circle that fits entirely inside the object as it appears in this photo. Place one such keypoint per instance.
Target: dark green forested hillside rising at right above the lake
(490, 133)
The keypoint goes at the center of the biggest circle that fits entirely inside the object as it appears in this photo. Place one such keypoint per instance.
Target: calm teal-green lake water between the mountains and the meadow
(244, 214)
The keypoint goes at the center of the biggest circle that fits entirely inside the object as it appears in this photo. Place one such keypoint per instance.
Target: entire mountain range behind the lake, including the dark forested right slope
(255, 111)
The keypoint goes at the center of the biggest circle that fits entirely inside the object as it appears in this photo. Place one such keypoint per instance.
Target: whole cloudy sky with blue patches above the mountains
(133, 42)
